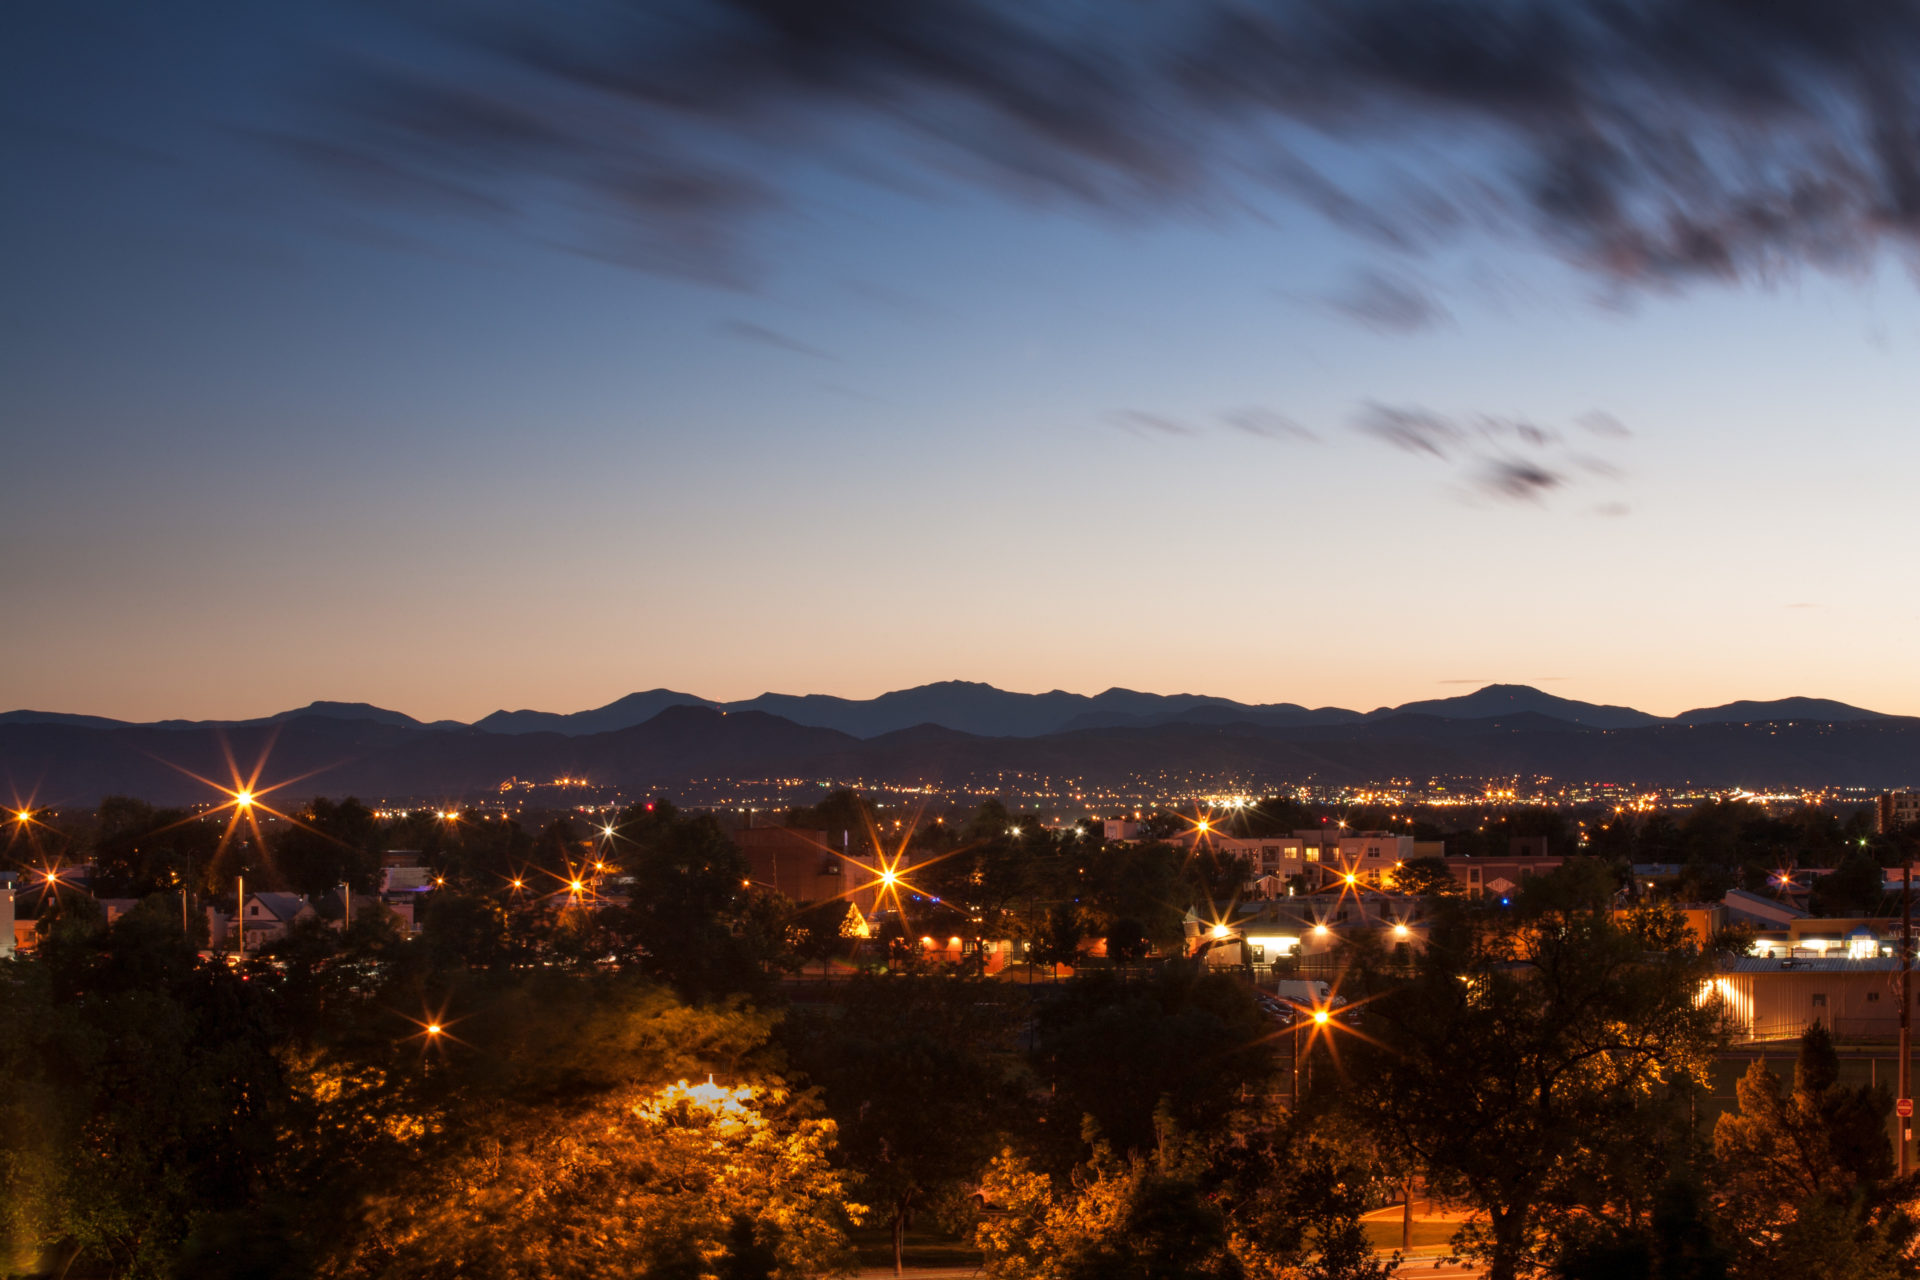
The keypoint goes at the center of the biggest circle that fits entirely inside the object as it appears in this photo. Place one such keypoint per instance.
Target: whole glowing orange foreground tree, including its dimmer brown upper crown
(583, 1127)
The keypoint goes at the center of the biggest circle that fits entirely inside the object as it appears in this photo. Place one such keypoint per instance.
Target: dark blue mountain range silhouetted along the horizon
(963, 734)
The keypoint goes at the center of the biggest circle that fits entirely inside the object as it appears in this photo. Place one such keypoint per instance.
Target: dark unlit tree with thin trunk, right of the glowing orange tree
(921, 1076)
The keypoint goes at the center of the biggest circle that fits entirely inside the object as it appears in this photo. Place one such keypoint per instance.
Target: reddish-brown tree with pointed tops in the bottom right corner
(1806, 1179)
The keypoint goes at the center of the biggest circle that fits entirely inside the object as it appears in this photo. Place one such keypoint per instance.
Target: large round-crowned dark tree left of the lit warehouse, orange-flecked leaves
(1518, 1070)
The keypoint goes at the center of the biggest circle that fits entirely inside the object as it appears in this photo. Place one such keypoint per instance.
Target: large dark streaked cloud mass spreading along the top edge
(1650, 141)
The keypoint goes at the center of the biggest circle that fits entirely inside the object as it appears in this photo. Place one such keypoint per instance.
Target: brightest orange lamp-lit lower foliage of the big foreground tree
(675, 1181)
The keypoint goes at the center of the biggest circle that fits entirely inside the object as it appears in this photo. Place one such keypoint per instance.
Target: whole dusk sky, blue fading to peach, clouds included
(418, 358)
